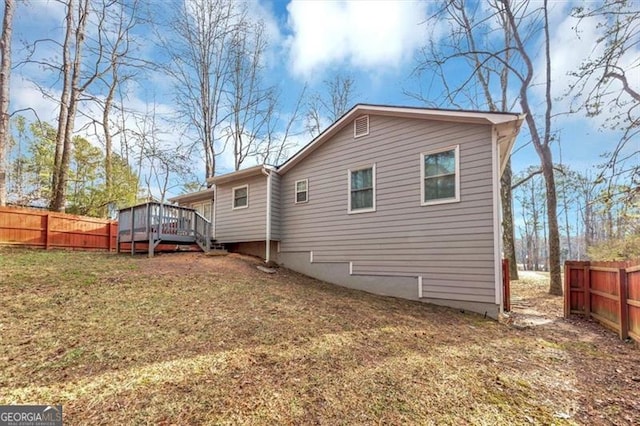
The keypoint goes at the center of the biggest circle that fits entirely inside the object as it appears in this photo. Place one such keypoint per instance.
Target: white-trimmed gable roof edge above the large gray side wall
(508, 125)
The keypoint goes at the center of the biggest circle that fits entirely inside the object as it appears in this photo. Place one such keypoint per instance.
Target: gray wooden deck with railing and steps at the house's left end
(157, 223)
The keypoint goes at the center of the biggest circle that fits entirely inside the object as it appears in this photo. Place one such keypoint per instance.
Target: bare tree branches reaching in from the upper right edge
(607, 82)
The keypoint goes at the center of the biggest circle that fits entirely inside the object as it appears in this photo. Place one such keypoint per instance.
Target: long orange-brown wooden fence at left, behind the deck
(44, 229)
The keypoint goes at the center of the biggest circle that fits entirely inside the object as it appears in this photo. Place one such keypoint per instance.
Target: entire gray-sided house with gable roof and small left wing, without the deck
(391, 200)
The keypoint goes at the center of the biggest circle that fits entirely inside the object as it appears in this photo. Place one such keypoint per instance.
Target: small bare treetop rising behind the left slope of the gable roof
(326, 107)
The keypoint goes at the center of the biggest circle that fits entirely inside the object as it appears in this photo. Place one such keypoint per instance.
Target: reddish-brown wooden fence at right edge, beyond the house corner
(609, 292)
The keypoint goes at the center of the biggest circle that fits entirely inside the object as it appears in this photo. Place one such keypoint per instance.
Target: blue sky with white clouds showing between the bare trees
(373, 41)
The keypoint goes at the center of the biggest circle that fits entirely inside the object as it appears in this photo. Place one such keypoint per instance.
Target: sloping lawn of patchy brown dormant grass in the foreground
(190, 339)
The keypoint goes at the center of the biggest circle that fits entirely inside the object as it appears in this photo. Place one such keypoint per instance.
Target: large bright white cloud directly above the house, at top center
(364, 34)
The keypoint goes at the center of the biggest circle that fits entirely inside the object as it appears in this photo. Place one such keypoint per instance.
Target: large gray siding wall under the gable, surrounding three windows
(450, 245)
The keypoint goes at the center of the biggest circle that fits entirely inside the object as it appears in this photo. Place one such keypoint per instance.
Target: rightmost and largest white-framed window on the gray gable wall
(440, 176)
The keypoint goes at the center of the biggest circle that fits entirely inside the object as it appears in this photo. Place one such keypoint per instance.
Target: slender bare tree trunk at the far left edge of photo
(5, 73)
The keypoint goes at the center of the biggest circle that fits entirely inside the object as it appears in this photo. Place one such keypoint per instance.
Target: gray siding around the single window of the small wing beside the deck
(241, 225)
